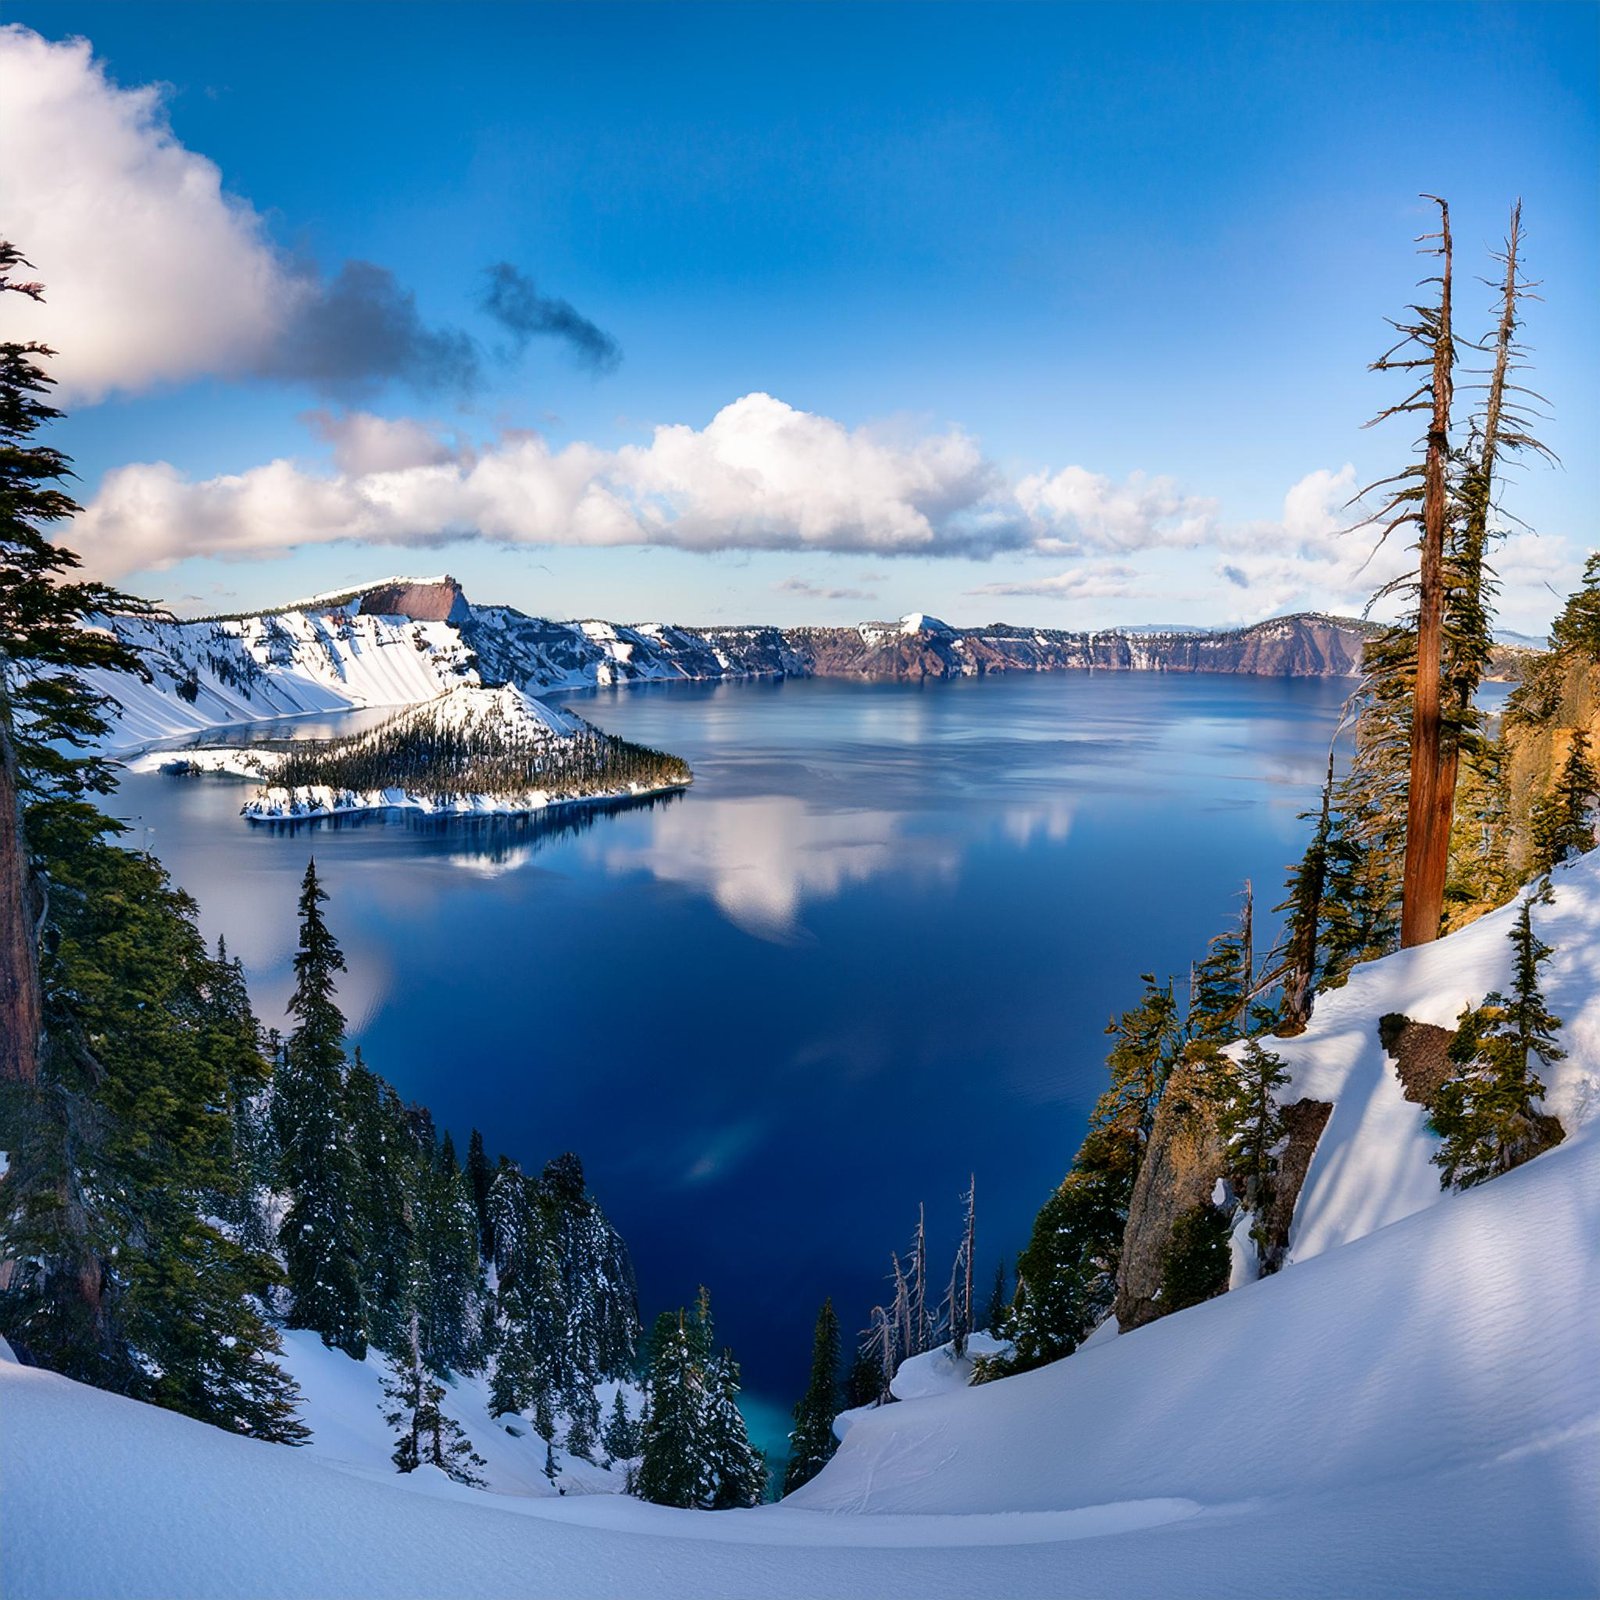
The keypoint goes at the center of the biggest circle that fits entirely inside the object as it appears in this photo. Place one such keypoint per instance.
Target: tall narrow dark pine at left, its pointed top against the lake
(322, 1236)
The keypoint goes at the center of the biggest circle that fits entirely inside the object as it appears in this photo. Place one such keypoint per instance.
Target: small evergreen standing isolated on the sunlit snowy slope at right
(1484, 1113)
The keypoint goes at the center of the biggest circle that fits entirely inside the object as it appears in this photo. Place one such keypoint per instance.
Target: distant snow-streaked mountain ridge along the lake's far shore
(410, 639)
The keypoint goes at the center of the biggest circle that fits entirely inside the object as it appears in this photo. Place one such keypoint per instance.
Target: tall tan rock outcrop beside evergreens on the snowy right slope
(1182, 1166)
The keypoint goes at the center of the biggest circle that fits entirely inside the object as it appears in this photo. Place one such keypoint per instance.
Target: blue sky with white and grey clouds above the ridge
(1041, 314)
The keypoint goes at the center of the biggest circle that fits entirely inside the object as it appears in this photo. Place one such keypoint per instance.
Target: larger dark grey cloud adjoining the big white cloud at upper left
(362, 329)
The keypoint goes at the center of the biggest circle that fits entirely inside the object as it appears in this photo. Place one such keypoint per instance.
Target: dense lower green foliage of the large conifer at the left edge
(126, 1151)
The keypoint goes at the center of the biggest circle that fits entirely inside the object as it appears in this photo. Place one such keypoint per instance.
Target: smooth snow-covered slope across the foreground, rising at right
(1412, 1407)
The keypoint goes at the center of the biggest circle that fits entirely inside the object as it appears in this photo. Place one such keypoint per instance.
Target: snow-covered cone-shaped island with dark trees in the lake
(470, 753)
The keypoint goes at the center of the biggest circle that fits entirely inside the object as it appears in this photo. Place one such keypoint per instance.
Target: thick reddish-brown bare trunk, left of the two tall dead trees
(1426, 844)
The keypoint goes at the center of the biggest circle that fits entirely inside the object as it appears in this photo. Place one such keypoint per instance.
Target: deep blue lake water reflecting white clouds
(871, 953)
